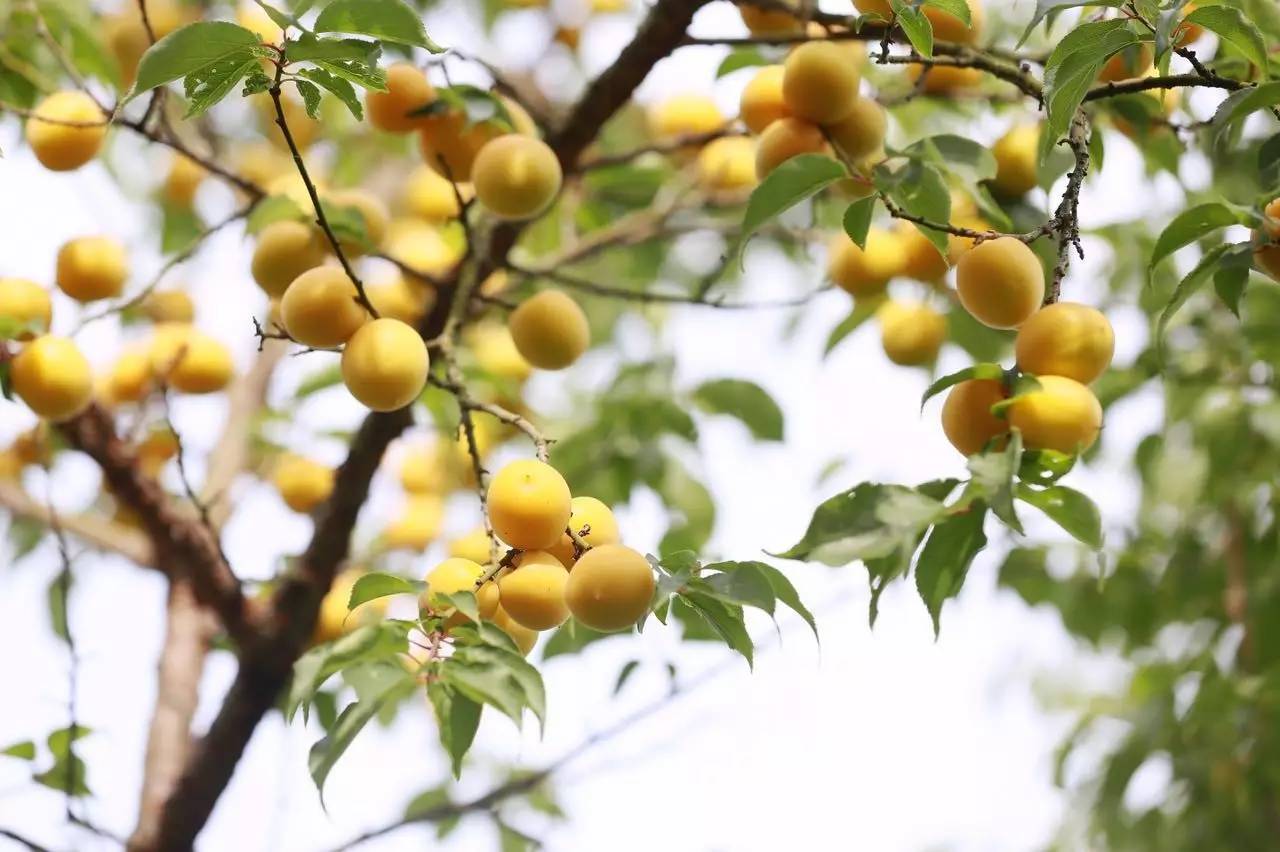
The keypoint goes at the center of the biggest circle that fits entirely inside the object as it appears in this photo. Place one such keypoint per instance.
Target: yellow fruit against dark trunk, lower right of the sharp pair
(385, 365)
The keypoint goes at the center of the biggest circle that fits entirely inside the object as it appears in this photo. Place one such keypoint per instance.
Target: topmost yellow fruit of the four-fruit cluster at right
(1000, 282)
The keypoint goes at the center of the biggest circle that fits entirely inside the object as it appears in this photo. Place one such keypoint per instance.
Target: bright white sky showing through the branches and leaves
(884, 740)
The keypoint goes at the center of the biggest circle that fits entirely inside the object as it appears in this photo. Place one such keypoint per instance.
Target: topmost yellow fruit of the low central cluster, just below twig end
(529, 505)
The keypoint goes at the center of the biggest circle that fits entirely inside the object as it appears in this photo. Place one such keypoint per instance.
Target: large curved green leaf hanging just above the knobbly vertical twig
(1072, 70)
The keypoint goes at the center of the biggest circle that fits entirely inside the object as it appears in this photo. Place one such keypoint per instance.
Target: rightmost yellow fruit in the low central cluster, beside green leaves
(610, 588)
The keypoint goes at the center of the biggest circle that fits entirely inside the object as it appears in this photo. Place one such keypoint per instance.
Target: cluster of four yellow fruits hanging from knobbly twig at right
(1066, 346)
